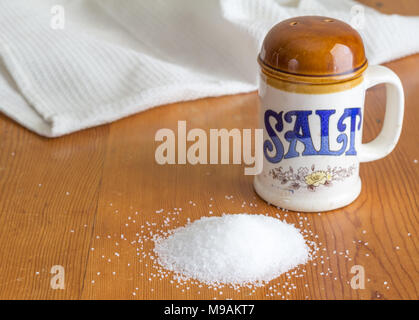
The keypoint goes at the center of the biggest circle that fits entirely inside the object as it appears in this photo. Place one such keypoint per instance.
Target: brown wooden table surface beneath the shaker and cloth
(61, 200)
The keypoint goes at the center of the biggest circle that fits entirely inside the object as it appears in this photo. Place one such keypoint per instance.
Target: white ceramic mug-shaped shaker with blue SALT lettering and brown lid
(313, 78)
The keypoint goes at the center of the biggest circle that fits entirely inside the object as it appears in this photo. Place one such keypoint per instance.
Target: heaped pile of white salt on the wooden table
(237, 249)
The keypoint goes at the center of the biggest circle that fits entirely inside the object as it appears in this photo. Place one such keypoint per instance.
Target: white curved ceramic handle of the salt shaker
(387, 139)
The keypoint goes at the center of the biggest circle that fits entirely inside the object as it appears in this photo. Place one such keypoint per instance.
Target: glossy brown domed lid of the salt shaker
(313, 49)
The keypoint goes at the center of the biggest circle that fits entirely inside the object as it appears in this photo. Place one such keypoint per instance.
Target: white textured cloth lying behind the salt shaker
(116, 58)
